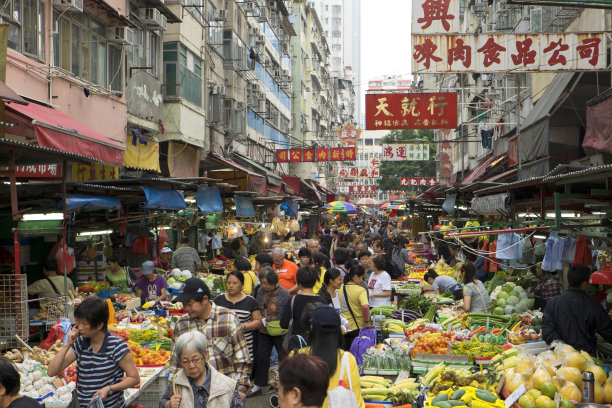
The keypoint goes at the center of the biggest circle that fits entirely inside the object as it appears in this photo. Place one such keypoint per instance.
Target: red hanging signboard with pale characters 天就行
(411, 111)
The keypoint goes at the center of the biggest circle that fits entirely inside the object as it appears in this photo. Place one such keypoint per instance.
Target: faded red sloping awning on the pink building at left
(57, 130)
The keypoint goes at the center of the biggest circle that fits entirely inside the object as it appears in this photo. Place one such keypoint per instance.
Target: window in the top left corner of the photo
(26, 20)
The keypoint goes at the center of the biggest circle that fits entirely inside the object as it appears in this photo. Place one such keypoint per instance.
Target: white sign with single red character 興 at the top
(435, 16)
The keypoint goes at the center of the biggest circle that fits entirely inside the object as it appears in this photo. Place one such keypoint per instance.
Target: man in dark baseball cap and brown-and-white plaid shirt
(229, 353)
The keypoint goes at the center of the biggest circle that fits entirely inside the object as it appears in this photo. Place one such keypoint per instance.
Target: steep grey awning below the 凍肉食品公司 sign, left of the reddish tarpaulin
(533, 139)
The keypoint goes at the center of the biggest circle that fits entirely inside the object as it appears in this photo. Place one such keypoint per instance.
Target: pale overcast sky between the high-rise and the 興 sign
(385, 39)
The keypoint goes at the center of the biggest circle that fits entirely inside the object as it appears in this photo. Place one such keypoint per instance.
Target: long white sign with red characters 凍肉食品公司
(487, 53)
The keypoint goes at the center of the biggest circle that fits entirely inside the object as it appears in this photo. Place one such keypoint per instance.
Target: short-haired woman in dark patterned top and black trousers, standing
(271, 301)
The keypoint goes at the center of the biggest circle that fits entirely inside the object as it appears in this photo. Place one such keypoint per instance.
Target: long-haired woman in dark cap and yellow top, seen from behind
(326, 343)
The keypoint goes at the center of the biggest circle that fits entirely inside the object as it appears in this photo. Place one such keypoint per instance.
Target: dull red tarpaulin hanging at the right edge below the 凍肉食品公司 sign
(599, 127)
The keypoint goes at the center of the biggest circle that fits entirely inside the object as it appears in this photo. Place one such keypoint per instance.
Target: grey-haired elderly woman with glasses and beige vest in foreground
(198, 384)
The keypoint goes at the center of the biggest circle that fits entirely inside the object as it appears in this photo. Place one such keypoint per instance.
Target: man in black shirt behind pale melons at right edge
(574, 317)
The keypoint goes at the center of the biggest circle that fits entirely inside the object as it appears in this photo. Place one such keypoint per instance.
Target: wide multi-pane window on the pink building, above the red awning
(80, 47)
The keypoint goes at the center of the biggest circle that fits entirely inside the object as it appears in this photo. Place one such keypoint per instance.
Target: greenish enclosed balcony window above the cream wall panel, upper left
(182, 73)
